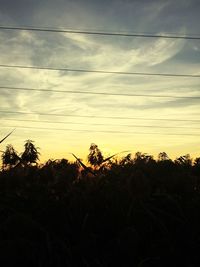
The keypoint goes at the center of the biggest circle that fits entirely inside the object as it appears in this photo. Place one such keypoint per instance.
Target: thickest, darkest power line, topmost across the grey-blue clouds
(59, 30)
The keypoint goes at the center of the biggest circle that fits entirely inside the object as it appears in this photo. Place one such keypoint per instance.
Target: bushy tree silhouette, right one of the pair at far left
(30, 154)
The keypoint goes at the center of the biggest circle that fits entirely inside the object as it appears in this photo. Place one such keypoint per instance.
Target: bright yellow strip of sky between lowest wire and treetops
(61, 145)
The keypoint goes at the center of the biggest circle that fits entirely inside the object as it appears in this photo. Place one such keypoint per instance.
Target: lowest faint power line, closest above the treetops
(100, 131)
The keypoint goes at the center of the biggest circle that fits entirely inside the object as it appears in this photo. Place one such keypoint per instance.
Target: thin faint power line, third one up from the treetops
(97, 117)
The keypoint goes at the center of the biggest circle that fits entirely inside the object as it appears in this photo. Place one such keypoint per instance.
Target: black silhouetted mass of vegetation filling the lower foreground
(135, 211)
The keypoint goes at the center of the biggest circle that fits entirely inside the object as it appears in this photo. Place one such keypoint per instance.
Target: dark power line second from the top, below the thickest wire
(100, 71)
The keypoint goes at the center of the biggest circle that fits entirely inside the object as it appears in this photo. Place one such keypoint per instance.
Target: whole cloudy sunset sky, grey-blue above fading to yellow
(73, 121)
